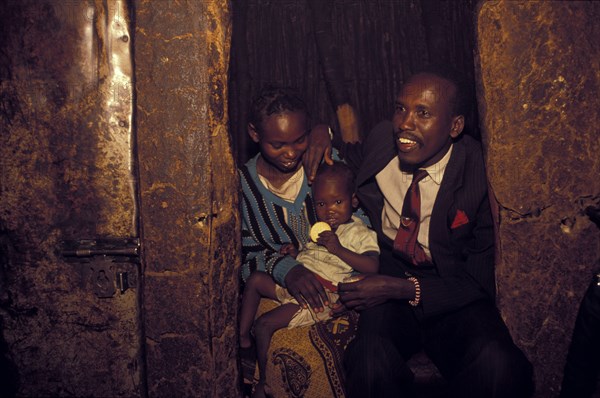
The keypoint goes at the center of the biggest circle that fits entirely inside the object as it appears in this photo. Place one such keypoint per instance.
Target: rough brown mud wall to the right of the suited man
(538, 93)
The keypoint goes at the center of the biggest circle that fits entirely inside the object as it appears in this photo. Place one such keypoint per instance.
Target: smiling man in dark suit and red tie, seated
(438, 293)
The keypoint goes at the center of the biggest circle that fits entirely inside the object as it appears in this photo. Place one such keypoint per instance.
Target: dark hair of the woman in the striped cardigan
(274, 100)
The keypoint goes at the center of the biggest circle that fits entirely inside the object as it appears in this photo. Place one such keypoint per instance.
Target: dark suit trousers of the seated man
(471, 347)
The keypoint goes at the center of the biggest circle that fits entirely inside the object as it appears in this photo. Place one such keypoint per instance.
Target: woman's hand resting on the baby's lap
(306, 288)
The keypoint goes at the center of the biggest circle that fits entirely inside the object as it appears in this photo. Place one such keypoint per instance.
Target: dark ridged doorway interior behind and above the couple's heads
(335, 51)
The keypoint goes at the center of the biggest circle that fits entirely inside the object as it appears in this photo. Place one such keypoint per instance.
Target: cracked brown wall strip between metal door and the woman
(189, 218)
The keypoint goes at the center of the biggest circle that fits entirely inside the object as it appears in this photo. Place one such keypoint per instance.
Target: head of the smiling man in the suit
(424, 120)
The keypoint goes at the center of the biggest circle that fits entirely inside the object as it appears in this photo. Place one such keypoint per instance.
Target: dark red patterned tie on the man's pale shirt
(406, 238)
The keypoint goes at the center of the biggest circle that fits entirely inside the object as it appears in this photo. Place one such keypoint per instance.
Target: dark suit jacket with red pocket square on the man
(463, 255)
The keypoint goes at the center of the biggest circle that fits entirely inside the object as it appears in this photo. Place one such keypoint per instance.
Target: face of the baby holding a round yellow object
(334, 201)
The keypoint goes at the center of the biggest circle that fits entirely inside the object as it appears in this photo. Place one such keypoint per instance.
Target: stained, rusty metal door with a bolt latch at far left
(66, 174)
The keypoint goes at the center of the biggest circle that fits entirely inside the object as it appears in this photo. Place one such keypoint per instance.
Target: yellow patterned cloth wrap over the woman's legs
(306, 361)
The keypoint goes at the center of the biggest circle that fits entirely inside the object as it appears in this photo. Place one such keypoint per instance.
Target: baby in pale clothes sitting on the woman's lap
(348, 248)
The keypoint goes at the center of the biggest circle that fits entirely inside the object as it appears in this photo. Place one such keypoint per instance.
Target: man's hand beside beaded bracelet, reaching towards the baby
(373, 290)
